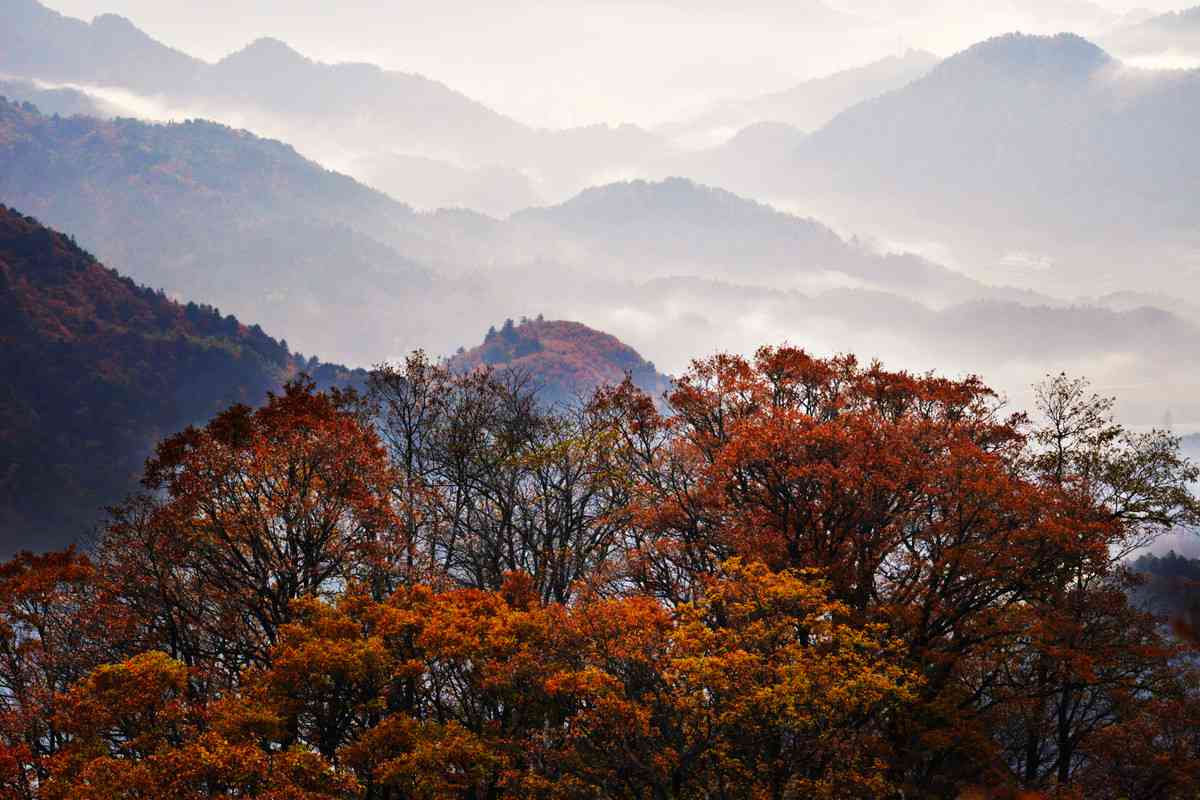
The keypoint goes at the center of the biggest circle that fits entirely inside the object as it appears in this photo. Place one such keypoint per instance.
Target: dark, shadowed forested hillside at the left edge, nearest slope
(98, 369)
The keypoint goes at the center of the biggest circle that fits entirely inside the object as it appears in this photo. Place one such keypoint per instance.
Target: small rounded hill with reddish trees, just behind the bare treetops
(567, 362)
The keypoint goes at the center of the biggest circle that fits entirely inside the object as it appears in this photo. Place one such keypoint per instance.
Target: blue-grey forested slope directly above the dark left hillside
(207, 212)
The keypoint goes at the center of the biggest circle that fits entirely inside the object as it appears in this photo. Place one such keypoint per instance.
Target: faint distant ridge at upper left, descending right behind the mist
(346, 107)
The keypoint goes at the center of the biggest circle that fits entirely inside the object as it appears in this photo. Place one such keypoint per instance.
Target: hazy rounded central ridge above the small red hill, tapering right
(676, 227)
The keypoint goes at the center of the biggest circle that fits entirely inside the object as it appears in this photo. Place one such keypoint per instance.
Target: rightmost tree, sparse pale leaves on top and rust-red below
(1089, 664)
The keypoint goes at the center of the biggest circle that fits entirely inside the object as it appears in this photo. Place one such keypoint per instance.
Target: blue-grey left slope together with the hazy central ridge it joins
(207, 212)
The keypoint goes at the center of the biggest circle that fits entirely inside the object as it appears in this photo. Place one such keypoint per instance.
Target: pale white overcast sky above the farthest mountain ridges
(580, 62)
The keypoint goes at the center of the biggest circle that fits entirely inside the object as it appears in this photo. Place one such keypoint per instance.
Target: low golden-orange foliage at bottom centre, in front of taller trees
(752, 691)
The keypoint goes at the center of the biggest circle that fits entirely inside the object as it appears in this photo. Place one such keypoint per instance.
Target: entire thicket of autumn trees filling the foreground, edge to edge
(802, 579)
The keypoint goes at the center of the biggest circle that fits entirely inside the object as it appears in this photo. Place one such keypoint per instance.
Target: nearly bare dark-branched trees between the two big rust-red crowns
(493, 483)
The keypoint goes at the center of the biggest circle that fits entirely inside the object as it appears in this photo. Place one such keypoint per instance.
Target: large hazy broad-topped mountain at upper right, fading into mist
(1042, 146)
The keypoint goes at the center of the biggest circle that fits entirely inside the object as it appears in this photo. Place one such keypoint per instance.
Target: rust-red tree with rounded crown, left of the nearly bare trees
(260, 508)
